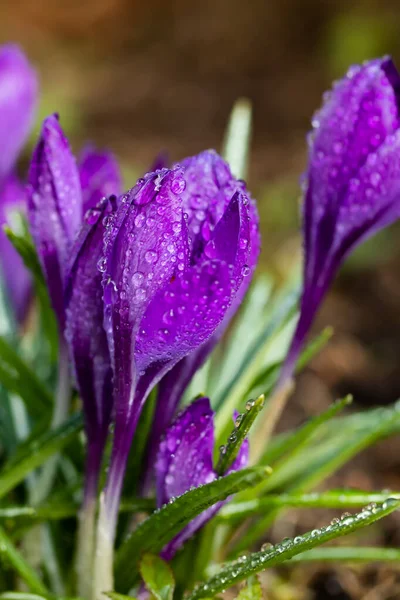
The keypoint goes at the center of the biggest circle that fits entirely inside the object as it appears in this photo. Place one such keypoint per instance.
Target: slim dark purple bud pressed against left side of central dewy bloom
(87, 339)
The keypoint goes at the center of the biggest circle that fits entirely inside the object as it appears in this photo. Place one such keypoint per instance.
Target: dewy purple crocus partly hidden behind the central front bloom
(206, 200)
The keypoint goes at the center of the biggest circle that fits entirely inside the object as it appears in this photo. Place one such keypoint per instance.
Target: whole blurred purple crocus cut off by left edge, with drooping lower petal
(18, 98)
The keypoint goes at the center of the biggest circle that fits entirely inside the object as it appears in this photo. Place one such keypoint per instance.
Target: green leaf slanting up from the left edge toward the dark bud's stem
(36, 451)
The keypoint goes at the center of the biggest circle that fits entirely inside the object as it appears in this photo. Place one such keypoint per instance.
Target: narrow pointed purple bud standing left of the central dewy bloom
(55, 207)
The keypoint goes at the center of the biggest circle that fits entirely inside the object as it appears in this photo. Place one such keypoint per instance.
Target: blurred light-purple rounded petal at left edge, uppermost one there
(18, 96)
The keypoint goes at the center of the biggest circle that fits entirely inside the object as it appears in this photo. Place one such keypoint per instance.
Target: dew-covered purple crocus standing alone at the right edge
(352, 184)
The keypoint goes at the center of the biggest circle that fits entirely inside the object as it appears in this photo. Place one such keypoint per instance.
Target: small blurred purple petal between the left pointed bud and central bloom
(100, 177)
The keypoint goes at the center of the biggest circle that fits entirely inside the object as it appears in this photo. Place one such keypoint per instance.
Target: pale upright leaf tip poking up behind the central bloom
(237, 139)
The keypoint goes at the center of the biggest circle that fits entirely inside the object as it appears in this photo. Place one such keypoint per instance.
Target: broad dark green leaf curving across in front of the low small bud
(164, 524)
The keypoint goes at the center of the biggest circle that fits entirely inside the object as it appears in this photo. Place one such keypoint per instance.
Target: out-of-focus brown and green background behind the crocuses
(140, 77)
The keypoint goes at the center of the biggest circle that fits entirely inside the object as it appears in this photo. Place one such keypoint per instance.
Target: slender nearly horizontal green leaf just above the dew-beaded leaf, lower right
(333, 499)
